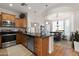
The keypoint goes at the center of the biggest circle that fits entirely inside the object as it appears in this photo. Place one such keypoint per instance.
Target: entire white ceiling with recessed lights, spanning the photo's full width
(35, 7)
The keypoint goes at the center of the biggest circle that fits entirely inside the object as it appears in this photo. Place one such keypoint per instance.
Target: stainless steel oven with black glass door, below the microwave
(8, 39)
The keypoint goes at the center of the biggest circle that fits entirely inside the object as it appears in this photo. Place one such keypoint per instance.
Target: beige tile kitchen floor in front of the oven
(16, 50)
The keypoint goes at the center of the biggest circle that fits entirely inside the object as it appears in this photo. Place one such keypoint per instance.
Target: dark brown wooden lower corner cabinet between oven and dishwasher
(21, 39)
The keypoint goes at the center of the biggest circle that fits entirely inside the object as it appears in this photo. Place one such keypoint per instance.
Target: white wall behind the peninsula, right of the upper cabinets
(35, 18)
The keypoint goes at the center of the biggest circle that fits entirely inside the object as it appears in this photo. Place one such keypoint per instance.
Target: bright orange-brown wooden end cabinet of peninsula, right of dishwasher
(41, 46)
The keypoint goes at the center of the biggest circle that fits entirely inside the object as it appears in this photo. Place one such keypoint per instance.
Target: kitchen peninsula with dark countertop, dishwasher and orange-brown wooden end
(39, 44)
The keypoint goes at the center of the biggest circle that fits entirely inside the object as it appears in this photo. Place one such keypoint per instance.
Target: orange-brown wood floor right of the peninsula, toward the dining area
(60, 50)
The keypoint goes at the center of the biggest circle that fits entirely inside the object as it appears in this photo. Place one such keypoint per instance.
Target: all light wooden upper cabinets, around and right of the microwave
(18, 21)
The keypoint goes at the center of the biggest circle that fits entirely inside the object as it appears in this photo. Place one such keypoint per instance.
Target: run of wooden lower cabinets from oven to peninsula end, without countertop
(41, 44)
